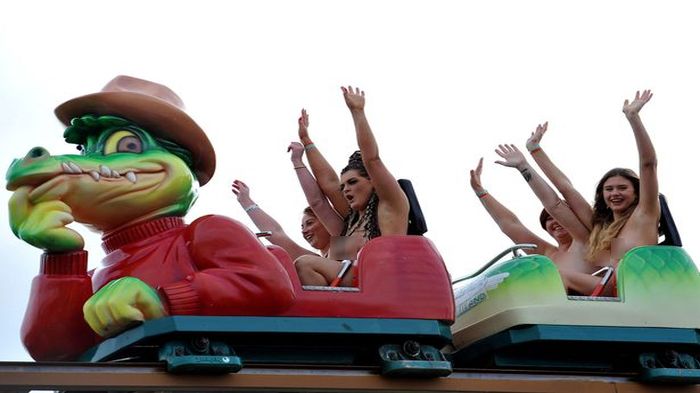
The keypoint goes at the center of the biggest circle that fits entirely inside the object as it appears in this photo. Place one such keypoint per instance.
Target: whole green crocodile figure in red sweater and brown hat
(140, 163)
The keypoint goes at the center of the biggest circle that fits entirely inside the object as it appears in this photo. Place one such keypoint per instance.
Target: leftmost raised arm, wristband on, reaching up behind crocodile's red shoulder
(265, 222)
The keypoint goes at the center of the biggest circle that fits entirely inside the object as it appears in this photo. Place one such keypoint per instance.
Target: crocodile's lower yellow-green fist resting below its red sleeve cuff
(119, 304)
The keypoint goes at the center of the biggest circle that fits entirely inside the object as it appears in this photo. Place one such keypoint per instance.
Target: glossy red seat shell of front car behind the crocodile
(400, 277)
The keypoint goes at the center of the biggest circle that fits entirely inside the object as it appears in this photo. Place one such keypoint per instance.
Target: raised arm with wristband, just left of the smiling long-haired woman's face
(576, 201)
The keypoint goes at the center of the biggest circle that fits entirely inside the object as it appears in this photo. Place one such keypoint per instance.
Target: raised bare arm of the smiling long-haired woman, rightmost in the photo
(648, 181)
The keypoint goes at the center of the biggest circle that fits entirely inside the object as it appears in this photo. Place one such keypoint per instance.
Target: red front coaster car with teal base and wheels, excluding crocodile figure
(395, 320)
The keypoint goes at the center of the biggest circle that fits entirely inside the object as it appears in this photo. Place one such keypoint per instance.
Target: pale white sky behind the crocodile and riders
(446, 82)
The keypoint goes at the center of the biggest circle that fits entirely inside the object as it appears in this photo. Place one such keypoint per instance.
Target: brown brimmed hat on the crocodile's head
(152, 106)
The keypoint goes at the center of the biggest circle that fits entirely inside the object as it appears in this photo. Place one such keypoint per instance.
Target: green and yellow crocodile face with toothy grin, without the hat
(123, 175)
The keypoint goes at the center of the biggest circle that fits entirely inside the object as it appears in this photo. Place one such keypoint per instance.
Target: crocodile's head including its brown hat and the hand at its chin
(141, 157)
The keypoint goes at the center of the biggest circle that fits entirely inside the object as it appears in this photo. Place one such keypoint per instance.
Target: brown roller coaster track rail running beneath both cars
(151, 377)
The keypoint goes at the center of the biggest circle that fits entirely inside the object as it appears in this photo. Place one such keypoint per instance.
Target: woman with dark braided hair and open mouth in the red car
(378, 205)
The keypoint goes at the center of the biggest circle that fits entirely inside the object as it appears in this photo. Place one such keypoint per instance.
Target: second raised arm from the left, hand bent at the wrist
(314, 196)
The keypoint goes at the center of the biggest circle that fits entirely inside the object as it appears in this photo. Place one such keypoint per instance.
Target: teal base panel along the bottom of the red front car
(261, 333)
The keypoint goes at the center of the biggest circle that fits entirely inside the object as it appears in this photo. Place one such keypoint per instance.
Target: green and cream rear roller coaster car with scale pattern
(517, 315)
